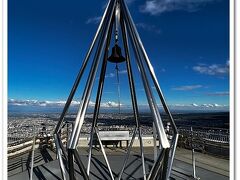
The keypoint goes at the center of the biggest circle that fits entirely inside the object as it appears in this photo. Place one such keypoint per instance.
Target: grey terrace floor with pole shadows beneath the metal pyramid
(46, 167)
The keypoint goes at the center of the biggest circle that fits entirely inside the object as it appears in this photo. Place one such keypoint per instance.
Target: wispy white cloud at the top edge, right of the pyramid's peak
(155, 7)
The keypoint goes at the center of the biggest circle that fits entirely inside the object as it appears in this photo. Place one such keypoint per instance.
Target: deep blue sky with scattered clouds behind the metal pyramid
(187, 42)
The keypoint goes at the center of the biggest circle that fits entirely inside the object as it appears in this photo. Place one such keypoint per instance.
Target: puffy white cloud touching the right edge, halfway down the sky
(213, 69)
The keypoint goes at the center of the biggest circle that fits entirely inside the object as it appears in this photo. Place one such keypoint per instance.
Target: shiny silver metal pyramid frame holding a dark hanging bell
(116, 16)
